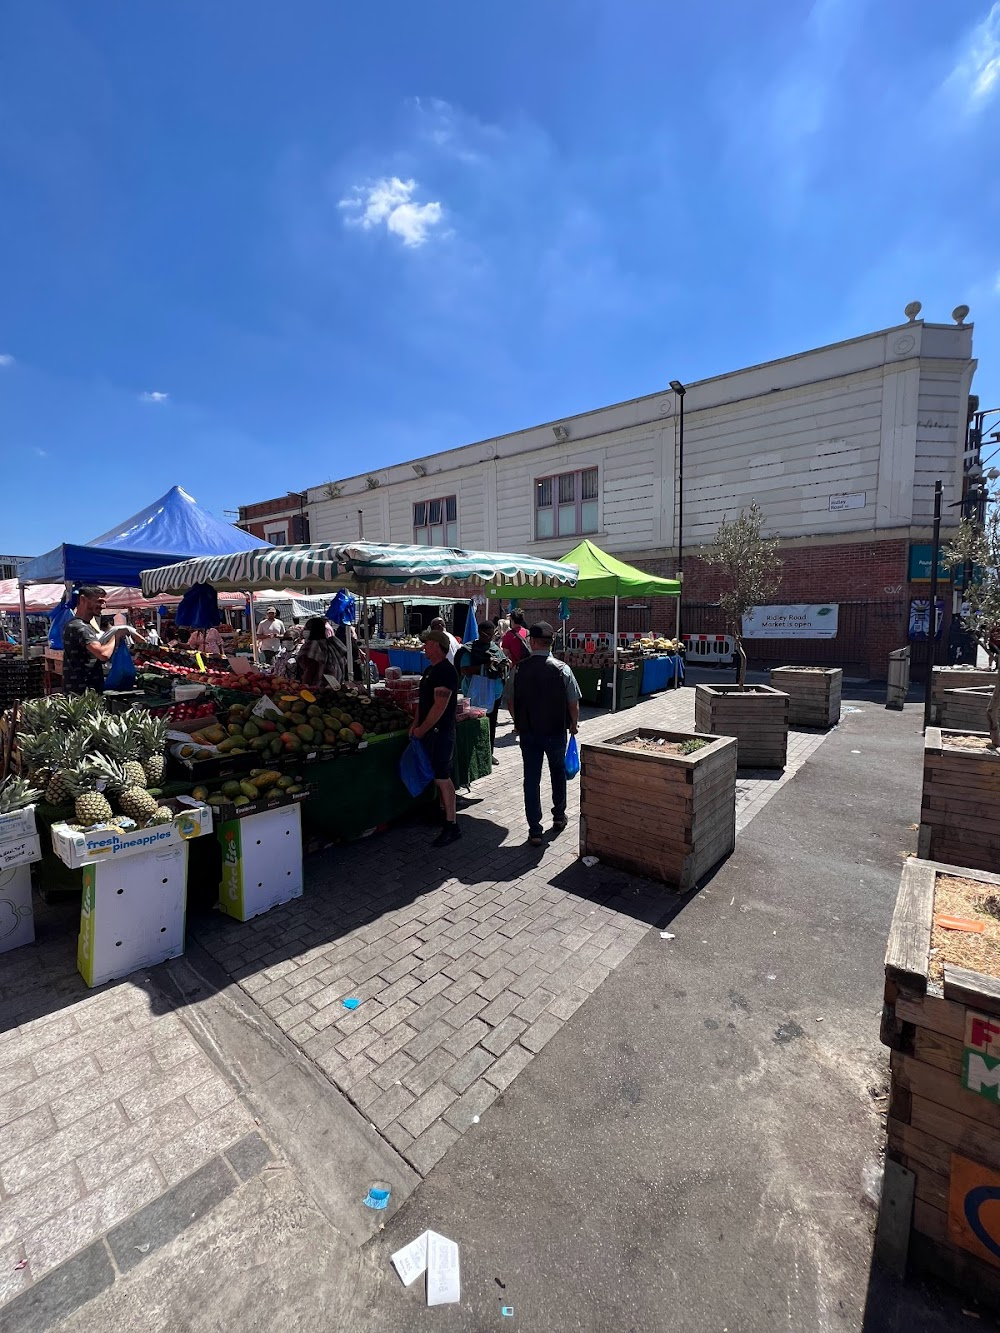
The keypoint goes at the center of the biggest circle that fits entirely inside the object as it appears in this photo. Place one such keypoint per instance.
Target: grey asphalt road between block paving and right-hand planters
(689, 1152)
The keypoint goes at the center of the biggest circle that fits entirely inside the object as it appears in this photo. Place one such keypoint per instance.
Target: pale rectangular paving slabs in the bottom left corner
(106, 1104)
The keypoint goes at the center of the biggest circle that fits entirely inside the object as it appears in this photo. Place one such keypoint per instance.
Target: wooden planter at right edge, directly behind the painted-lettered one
(961, 803)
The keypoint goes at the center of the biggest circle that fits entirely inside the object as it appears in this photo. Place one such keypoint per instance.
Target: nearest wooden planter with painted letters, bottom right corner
(945, 1118)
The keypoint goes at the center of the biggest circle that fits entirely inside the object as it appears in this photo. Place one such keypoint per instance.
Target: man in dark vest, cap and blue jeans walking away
(546, 706)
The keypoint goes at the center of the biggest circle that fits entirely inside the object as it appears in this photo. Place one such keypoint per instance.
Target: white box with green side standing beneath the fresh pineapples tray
(133, 912)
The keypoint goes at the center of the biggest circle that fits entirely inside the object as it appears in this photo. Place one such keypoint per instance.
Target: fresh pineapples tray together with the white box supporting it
(134, 891)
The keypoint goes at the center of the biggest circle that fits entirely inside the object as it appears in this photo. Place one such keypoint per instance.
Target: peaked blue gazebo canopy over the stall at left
(173, 529)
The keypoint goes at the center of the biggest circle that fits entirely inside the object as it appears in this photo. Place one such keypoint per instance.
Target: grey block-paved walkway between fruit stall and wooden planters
(467, 960)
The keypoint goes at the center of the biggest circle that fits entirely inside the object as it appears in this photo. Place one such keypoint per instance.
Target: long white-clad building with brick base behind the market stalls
(841, 447)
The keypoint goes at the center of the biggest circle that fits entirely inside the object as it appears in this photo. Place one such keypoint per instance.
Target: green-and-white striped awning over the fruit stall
(361, 567)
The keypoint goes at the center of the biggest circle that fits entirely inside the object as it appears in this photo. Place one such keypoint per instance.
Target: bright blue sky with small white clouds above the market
(250, 247)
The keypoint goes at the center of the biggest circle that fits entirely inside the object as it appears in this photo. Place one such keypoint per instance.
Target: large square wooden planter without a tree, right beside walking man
(669, 818)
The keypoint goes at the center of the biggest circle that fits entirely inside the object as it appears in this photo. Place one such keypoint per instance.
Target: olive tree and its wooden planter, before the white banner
(755, 715)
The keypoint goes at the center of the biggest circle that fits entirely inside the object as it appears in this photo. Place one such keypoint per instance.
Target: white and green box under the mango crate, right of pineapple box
(262, 862)
